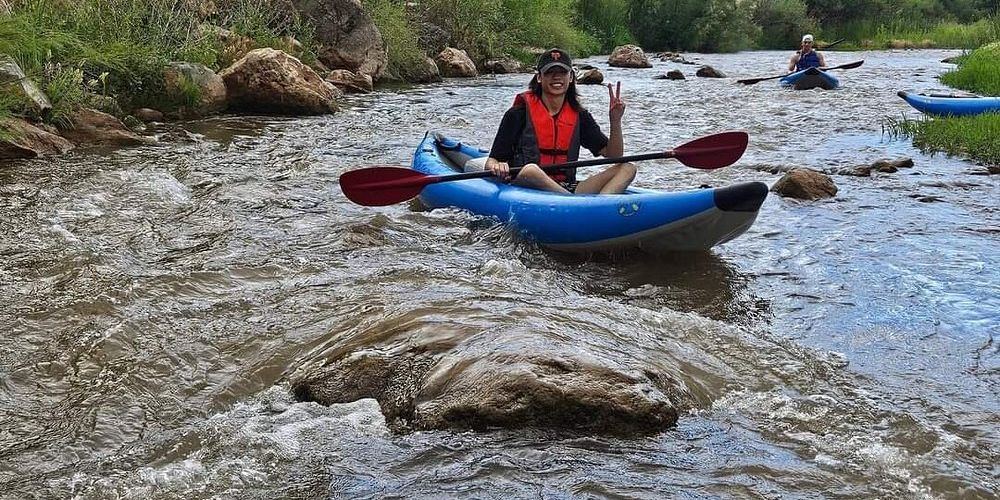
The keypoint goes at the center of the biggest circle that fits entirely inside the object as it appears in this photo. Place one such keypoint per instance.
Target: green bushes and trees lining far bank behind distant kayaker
(505, 27)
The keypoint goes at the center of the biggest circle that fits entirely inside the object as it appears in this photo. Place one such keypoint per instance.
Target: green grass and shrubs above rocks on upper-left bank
(82, 52)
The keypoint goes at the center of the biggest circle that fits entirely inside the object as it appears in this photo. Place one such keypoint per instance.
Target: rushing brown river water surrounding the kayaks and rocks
(154, 301)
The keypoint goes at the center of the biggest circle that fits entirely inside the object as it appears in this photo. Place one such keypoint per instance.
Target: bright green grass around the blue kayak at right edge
(971, 136)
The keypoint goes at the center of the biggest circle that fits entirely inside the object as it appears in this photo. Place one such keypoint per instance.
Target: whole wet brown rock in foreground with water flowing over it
(487, 382)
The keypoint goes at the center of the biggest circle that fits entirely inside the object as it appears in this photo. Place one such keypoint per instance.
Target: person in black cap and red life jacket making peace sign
(547, 125)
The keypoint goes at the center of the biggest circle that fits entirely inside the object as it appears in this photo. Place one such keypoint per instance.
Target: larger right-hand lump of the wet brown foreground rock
(524, 390)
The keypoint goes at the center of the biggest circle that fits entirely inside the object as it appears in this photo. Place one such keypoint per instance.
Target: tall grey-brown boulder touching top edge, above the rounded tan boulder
(347, 35)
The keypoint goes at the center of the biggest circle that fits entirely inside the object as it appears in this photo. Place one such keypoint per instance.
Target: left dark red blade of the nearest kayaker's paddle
(381, 186)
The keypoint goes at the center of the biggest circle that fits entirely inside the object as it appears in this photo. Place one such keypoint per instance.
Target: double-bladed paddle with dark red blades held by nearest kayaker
(387, 185)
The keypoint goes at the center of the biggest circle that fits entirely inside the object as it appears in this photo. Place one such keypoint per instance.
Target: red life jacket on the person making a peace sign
(547, 139)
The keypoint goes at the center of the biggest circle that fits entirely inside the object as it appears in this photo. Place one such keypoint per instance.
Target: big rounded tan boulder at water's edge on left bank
(271, 81)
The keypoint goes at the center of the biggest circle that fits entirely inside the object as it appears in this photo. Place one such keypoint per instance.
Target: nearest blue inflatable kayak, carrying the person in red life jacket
(652, 221)
